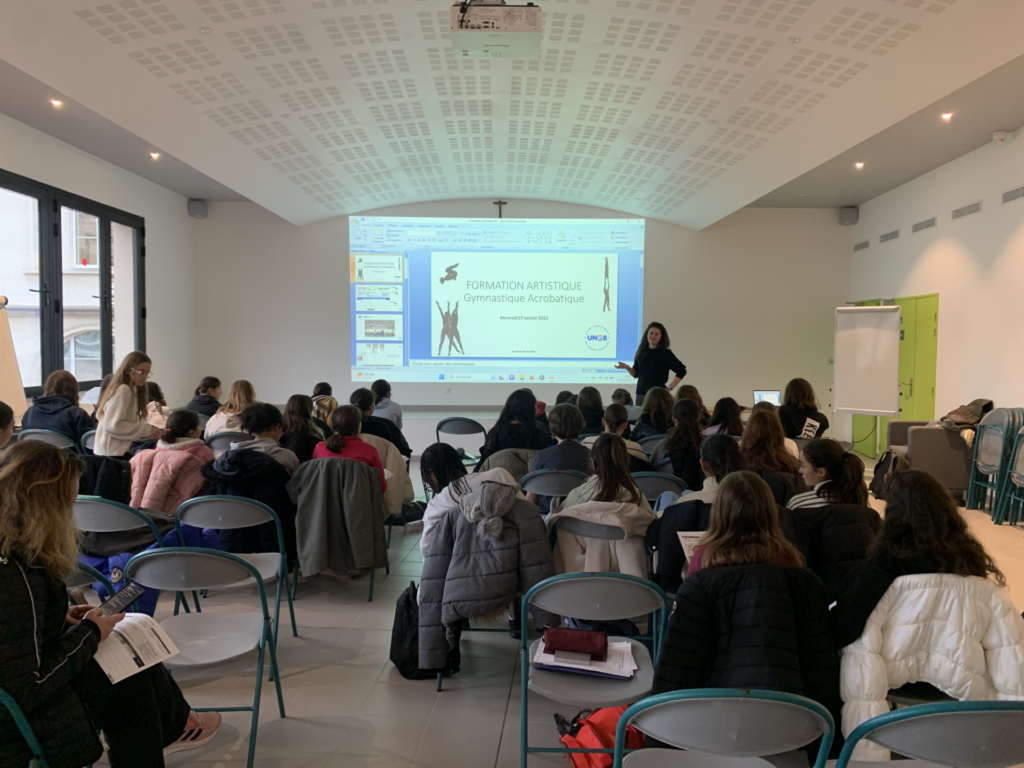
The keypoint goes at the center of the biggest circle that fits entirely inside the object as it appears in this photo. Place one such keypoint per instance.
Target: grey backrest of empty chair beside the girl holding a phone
(189, 569)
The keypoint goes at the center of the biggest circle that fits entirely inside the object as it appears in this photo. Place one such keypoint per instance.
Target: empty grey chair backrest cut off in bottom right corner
(975, 735)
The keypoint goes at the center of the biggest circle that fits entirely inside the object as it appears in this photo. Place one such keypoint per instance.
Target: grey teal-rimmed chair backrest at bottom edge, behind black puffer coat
(730, 722)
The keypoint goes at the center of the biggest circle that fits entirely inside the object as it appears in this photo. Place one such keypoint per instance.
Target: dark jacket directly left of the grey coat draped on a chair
(258, 477)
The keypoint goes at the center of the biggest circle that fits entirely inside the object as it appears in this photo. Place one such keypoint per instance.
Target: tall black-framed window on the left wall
(72, 272)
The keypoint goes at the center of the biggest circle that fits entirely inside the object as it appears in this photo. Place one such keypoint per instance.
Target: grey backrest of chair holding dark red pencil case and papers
(598, 596)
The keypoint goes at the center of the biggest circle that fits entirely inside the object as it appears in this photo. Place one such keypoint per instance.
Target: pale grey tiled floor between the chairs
(349, 708)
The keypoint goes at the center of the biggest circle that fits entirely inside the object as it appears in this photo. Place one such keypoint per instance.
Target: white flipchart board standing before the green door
(866, 372)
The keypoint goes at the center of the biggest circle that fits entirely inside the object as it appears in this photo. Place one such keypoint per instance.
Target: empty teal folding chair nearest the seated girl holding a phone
(212, 639)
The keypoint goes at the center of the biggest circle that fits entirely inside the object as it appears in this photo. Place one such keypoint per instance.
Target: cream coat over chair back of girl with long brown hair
(581, 554)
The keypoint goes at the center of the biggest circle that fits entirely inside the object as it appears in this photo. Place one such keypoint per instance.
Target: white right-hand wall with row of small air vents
(976, 266)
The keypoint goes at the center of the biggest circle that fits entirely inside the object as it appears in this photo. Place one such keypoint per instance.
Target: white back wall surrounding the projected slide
(749, 303)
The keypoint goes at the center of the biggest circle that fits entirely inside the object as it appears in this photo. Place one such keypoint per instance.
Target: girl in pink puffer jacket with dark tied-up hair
(162, 480)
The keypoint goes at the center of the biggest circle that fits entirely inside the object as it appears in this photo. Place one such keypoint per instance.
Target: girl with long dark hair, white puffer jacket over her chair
(927, 608)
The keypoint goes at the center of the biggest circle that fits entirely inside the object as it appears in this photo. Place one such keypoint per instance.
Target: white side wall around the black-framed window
(169, 248)
